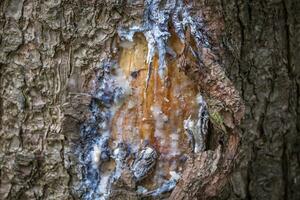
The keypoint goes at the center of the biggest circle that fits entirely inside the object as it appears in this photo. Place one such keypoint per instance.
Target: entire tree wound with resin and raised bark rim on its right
(146, 104)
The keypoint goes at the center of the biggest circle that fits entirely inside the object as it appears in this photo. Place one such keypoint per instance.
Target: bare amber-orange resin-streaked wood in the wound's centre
(155, 111)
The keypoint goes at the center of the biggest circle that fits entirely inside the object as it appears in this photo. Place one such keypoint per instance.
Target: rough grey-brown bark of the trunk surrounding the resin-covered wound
(49, 50)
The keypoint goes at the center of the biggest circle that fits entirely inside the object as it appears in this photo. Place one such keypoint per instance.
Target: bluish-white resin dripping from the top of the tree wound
(155, 28)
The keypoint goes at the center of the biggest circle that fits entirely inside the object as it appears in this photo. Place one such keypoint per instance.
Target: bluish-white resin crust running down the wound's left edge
(110, 90)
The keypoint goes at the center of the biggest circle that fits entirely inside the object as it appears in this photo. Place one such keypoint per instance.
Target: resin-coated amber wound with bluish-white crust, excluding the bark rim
(145, 113)
